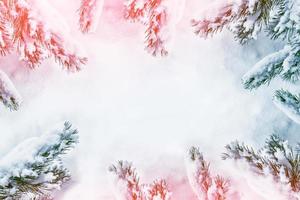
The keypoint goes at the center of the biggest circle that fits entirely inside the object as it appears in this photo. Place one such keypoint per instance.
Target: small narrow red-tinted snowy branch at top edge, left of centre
(89, 13)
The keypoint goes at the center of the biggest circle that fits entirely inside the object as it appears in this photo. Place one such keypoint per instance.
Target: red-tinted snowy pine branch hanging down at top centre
(153, 14)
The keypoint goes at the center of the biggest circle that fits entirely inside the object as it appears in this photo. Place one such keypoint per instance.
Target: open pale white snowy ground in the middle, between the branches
(129, 105)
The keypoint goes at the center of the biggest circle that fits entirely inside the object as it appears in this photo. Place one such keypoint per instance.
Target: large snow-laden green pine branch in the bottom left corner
(34, 168)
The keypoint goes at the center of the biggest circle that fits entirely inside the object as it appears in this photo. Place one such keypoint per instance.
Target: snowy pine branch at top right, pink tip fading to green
(244, 18)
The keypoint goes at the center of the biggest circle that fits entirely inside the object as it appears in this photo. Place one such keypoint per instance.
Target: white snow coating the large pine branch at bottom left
(19, 162)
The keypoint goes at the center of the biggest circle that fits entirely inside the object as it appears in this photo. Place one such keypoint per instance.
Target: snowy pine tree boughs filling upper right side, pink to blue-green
(280, 19)
